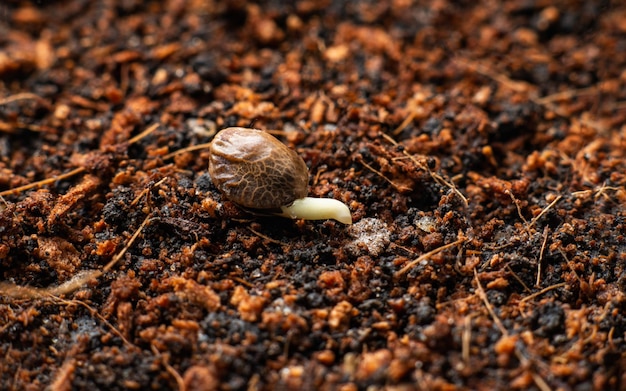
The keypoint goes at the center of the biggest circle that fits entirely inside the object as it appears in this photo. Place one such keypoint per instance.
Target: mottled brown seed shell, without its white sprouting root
(255, 170)
